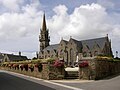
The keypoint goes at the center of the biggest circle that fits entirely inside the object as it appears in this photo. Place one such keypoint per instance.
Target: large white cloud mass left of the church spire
(19, 31)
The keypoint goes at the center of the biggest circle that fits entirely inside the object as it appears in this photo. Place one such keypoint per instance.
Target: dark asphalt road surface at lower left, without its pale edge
(10, 82)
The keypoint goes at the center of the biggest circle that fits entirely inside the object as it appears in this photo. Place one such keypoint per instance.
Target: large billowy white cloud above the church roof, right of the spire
(86, 18)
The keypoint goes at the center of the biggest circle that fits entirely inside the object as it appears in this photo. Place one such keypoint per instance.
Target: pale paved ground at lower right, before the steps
(108, 84)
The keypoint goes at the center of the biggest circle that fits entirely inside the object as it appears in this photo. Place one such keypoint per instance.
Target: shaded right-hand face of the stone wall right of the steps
(106, 68)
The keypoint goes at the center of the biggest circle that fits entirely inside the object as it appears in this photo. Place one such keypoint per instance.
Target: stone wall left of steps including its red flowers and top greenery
(45, 68)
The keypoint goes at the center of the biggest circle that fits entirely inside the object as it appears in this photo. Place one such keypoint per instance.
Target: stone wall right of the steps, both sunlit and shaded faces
(99, 68)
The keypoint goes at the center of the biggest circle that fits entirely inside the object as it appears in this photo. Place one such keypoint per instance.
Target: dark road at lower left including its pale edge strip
(14, 81)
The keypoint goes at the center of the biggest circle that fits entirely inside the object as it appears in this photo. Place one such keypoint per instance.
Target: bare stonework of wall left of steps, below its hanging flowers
(48, 71)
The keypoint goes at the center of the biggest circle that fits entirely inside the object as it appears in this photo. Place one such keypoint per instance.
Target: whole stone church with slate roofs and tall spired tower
(70, 50)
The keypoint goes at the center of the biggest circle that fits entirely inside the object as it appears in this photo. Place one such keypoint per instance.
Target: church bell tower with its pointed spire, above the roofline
(44, 35)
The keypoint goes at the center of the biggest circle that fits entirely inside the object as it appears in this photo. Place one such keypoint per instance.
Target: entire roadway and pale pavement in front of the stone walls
(14, 81)
